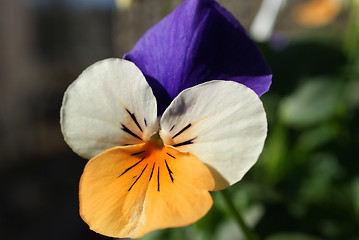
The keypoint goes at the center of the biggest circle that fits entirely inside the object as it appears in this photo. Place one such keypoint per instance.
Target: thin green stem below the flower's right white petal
(248, 233)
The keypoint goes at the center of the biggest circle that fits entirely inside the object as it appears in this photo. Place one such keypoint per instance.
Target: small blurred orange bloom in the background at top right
(317, 13)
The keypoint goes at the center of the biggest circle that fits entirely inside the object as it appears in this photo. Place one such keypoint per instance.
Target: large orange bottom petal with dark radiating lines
(130, 191)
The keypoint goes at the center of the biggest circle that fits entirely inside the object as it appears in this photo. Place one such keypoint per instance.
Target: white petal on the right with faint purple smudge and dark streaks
(223, 123)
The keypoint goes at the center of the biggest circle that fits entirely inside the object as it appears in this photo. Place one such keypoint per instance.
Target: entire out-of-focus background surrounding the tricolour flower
(305, 185)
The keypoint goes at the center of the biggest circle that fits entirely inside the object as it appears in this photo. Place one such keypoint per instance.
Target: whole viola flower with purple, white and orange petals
(160, 129)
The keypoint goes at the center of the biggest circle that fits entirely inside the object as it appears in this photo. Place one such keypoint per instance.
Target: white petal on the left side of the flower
(98, 105)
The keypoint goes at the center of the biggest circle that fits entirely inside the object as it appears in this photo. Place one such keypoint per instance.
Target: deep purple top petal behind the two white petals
(198, 42)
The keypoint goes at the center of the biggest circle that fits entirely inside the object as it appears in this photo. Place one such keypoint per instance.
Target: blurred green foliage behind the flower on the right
(305, 185)
